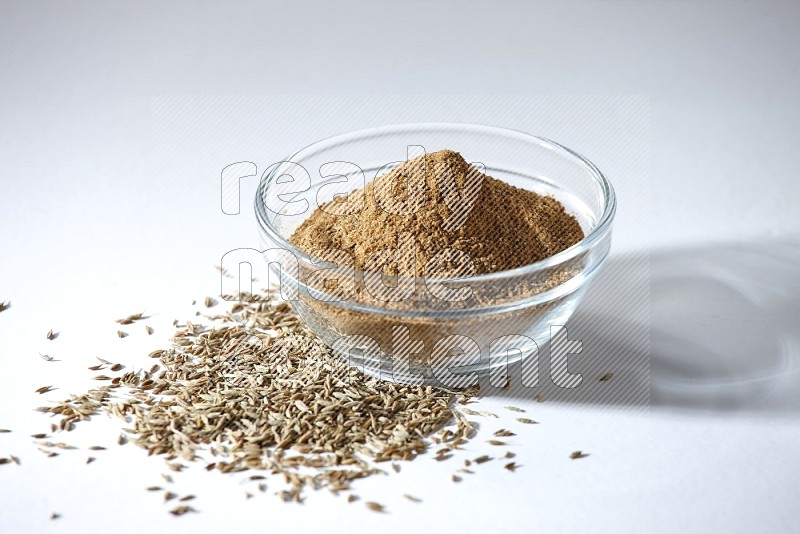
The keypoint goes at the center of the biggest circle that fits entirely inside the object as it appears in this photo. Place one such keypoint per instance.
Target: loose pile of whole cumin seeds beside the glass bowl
(254, 389)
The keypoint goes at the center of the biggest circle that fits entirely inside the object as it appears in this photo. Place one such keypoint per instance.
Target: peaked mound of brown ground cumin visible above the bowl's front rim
(433, 203)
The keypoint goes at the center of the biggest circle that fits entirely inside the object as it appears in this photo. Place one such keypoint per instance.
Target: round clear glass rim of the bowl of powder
(593, 236)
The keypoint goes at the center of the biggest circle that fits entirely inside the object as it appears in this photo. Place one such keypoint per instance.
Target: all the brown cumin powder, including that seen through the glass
(433, 217)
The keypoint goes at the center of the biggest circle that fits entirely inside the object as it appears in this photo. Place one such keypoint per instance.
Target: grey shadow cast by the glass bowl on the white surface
(713, 328)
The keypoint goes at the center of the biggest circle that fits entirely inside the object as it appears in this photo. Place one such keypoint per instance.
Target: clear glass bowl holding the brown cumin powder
(423, 338)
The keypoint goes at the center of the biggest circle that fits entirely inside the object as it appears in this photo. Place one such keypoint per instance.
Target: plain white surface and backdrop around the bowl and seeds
(100, 217)
